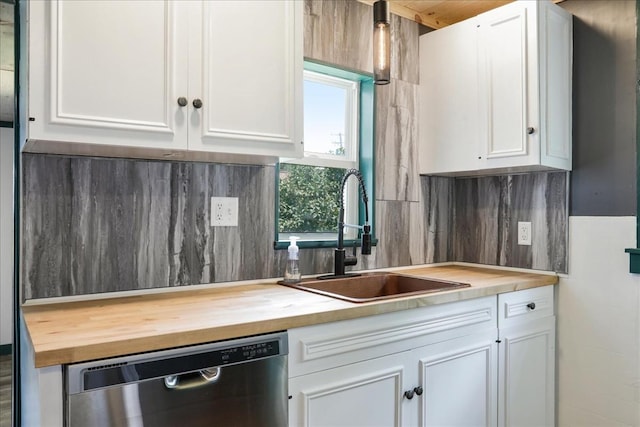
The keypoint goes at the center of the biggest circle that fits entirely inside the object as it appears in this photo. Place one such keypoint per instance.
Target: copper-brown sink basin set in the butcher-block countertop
(375, 286)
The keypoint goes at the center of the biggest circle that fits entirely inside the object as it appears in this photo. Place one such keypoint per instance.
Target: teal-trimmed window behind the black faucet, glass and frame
(338, 135)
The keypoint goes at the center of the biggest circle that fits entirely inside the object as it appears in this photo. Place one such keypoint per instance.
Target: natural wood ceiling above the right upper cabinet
(440, 13)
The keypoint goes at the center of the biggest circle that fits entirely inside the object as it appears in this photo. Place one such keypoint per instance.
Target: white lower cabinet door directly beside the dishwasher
(368, 393)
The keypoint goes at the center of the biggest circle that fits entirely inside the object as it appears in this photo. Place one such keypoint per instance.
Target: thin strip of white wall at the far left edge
(6, 235)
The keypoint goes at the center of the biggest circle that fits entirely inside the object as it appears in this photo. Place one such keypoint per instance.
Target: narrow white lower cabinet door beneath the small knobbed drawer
(527, 374)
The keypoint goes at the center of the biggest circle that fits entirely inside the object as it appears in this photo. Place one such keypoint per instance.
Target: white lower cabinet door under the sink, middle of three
(458, 378)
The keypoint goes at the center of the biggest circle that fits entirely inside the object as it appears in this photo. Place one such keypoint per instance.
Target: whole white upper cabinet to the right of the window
(518, 84)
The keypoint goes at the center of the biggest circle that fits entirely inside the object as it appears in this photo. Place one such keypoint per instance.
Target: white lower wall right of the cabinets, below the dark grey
(599, 326)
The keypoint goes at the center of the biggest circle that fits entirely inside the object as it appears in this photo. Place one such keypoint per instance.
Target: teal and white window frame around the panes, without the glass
(364, 143)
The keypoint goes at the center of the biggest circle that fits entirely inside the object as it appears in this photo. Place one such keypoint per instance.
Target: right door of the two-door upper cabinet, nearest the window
(247, 70)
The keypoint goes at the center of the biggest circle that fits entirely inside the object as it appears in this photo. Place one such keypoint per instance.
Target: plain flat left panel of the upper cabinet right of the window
(449, 124)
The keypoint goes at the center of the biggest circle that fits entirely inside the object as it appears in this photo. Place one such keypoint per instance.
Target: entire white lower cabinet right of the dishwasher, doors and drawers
(482, 362)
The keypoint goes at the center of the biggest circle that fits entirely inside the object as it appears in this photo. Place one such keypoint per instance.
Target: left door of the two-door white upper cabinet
(105, 72)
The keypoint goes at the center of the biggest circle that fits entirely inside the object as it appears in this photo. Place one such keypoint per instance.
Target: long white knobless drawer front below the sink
(324, 346)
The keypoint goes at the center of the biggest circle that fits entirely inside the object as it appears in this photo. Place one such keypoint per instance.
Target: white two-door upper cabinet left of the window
(174, 78)
